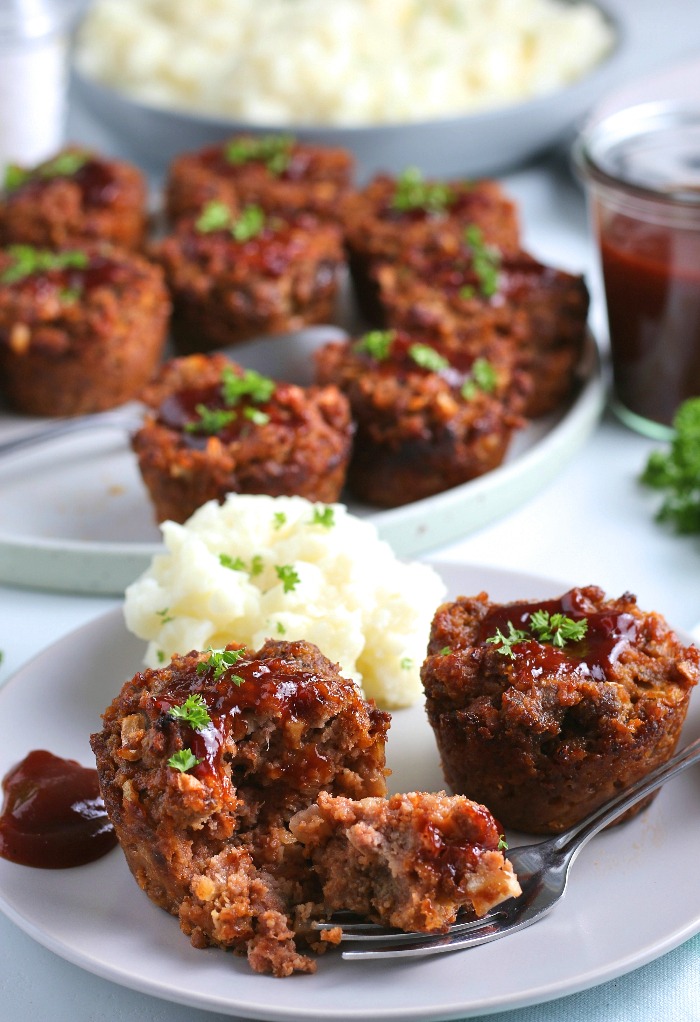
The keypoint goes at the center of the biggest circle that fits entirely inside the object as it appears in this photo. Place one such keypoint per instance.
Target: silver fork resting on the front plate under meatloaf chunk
(543, 871)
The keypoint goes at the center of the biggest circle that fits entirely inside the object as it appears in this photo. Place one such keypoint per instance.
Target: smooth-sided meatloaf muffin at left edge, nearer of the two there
(81, 330)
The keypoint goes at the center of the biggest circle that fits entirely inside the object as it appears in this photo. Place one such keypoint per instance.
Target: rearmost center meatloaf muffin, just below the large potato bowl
(275, 172)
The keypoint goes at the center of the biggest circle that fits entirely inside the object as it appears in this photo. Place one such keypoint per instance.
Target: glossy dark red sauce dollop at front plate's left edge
(54, 816)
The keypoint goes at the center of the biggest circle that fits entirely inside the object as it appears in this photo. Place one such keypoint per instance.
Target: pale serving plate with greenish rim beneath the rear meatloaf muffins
(75, 516)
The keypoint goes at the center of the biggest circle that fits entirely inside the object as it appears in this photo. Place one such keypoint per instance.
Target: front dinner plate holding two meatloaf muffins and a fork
(628, 901)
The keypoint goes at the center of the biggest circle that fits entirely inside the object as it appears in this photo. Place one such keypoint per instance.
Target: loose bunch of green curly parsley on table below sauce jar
(677, 472)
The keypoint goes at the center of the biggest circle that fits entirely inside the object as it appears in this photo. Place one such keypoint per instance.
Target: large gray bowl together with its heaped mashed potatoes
(454, 87)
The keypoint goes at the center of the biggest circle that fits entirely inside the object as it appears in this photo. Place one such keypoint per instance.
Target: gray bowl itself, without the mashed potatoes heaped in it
(478, 145)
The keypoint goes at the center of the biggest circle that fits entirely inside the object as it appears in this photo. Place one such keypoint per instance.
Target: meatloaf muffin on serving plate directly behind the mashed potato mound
(217, 429)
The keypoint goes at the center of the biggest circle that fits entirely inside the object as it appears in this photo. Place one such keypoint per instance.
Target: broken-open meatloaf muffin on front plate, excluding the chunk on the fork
(210, 842)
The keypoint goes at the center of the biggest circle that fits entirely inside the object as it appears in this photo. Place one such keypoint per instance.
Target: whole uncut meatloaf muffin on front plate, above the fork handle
(544, 734)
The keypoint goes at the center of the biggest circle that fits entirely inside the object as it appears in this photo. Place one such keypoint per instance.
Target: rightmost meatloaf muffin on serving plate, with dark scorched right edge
(544, 311)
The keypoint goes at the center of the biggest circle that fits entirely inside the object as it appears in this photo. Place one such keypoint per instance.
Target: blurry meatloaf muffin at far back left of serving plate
(76, 197)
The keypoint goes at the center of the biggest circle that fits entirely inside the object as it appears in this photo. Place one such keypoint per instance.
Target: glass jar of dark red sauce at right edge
(641, 167)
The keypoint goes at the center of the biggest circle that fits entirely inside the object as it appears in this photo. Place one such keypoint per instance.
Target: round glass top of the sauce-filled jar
(654, 149)
